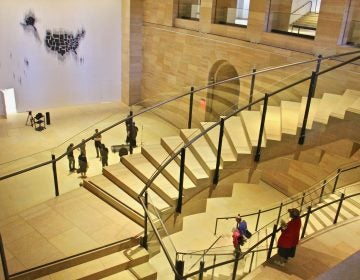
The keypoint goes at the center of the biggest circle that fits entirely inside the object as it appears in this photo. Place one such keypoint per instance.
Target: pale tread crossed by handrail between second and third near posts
(201, 147)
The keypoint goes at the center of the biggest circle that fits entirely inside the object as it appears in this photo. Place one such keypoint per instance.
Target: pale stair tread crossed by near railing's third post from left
(227, 154)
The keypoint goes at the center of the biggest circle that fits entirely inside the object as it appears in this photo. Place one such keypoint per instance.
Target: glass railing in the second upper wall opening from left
(232, 16)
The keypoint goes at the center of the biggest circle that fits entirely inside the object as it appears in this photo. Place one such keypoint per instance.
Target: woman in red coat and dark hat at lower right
(289, 237)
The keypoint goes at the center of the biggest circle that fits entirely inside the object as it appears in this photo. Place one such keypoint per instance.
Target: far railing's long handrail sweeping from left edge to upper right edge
(265, 70)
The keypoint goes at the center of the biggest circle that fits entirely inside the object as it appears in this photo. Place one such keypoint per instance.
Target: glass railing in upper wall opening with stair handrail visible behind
(293, 24)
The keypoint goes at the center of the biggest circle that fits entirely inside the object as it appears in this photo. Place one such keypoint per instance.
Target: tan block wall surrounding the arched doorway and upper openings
(184, 53)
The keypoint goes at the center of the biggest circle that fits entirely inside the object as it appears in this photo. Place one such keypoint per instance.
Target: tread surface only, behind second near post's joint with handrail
(192, 164)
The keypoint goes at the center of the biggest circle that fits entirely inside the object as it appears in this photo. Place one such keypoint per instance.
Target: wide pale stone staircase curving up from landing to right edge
(120, 184)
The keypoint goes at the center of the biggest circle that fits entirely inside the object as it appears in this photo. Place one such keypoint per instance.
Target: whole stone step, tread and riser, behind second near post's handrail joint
(192, 166)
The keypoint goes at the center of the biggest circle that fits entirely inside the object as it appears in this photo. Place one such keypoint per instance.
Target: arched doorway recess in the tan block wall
(224, 97)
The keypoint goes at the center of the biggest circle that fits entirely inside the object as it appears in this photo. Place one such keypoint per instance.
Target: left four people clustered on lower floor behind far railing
(101, 152)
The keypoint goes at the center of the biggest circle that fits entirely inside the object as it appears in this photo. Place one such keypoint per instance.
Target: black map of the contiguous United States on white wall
(63, 42)
